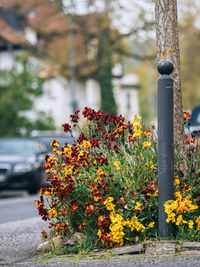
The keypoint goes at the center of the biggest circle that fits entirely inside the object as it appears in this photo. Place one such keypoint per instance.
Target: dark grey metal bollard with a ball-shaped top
(165, 144)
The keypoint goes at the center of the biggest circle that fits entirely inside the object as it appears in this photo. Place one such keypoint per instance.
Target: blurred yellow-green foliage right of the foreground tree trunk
(190, 60)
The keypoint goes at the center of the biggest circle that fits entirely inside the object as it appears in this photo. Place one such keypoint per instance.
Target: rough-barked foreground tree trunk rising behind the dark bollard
(168, 46)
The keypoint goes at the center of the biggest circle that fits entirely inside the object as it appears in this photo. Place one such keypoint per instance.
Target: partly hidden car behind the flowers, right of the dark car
(47, 136)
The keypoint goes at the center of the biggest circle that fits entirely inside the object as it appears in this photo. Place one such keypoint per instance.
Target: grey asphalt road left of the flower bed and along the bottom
(20, 228)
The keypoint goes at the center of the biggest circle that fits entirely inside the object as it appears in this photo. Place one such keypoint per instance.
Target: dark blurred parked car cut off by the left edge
(21, 163)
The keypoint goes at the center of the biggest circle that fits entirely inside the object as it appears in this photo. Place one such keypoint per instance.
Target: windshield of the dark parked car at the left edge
(20, 147)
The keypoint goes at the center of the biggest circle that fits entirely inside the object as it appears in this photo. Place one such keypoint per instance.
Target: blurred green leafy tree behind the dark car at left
(19, 87)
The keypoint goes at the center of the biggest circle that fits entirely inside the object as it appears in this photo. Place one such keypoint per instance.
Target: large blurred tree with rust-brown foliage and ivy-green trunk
(90, 35)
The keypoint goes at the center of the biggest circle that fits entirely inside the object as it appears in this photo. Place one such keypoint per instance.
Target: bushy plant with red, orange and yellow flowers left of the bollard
(105, 185)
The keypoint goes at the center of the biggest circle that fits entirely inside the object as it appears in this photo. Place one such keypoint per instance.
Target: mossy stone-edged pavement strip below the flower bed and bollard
(160, 254)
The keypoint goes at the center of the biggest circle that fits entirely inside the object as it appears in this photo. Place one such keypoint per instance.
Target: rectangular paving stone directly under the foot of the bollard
(160, 248)
